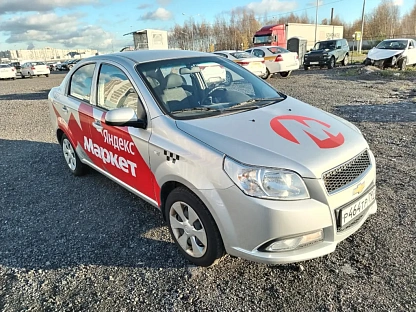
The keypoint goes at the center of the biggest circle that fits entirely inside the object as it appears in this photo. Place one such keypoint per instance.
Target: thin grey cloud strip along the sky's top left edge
(8, 6)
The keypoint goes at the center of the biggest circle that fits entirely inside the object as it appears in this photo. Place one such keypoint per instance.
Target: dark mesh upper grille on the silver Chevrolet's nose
(344, 174)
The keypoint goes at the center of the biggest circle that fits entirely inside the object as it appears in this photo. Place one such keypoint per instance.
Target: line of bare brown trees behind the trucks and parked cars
(236, 29)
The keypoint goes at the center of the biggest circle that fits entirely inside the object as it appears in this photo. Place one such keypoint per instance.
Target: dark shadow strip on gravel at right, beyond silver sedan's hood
(383, 113)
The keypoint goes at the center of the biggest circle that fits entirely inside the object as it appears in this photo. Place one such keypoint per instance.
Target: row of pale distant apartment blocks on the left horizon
(46, 54)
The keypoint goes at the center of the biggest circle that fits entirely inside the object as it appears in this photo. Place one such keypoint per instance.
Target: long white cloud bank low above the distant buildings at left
(53, 29)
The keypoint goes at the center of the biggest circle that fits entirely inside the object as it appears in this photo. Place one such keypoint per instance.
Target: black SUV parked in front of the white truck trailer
(327, 53)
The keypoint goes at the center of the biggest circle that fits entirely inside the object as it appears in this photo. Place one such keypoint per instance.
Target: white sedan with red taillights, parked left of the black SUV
(277, 60)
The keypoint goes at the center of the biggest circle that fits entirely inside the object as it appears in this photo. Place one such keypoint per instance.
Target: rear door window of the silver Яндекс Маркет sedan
(81, 80)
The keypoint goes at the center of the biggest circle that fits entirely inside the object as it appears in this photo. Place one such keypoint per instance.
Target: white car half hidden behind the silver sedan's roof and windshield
(252, 63)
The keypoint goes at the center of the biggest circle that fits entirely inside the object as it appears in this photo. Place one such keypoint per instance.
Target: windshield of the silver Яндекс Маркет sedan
(198, 87)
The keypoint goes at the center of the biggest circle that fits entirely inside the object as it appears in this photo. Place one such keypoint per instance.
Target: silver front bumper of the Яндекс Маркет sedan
(247, 224)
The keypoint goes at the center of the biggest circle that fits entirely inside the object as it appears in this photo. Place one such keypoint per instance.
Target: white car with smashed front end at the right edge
(393, 53)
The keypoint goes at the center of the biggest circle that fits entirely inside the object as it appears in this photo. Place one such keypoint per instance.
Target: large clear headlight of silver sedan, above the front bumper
(281, 184)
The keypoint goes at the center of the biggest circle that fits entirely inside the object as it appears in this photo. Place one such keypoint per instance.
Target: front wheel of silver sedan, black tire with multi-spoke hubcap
(204, 248)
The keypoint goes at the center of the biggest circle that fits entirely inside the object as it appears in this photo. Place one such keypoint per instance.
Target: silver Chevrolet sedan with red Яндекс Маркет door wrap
(239, 168)
